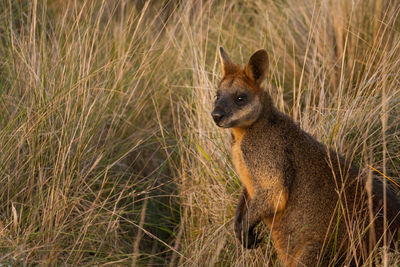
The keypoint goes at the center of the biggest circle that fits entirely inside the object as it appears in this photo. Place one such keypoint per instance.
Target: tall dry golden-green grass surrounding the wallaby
(109, 155)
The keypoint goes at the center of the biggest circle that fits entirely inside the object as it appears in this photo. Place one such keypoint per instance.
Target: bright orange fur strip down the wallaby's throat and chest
(239, 163)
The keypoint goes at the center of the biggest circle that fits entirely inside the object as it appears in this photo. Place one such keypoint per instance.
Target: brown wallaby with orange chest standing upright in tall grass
(310, 197)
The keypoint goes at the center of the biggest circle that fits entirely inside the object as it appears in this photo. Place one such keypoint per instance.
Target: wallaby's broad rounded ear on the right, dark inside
(257, 67)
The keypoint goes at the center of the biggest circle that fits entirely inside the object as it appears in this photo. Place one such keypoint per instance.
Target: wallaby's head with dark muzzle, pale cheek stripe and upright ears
(239, 99)
